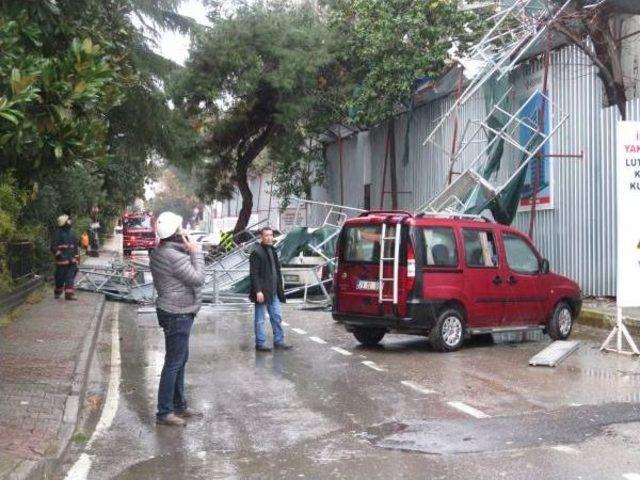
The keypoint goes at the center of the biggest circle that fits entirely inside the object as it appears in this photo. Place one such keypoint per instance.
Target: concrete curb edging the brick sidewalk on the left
(46, 467)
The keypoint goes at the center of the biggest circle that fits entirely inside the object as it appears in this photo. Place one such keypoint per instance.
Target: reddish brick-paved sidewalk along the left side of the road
(45, 354)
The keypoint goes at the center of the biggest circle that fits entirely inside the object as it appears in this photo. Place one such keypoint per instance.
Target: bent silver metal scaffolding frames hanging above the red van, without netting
(515, 31)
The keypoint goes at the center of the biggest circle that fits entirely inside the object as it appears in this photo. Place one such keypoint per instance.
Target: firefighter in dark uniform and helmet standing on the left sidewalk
(66, 258)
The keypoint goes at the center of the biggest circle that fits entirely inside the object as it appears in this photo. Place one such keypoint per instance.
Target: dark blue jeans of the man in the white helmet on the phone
(177, 328)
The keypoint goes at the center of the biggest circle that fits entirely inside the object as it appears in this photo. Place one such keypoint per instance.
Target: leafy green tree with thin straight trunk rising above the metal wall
(387, 46)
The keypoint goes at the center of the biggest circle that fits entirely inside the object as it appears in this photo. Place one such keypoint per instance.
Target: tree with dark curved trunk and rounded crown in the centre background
(253, 83)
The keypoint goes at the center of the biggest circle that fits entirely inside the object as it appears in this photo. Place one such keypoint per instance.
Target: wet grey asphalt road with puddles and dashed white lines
(333, 409)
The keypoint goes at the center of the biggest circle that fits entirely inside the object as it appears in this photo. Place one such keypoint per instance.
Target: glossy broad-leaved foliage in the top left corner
(57, 79)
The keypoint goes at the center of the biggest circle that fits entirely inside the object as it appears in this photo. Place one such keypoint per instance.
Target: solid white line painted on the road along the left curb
(82, 467)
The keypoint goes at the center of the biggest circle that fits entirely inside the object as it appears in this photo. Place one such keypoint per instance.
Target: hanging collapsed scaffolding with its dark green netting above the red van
(497, 151)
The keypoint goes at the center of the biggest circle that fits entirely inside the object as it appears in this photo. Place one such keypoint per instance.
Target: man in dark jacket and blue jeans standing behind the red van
(267, 291)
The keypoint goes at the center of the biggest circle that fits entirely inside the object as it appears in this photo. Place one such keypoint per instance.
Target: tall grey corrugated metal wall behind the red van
(578, 234)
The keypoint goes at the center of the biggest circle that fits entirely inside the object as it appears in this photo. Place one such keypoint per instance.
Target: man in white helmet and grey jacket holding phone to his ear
(177, 267)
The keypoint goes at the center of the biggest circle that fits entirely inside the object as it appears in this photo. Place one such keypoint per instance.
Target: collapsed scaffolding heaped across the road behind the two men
(312, 235)
